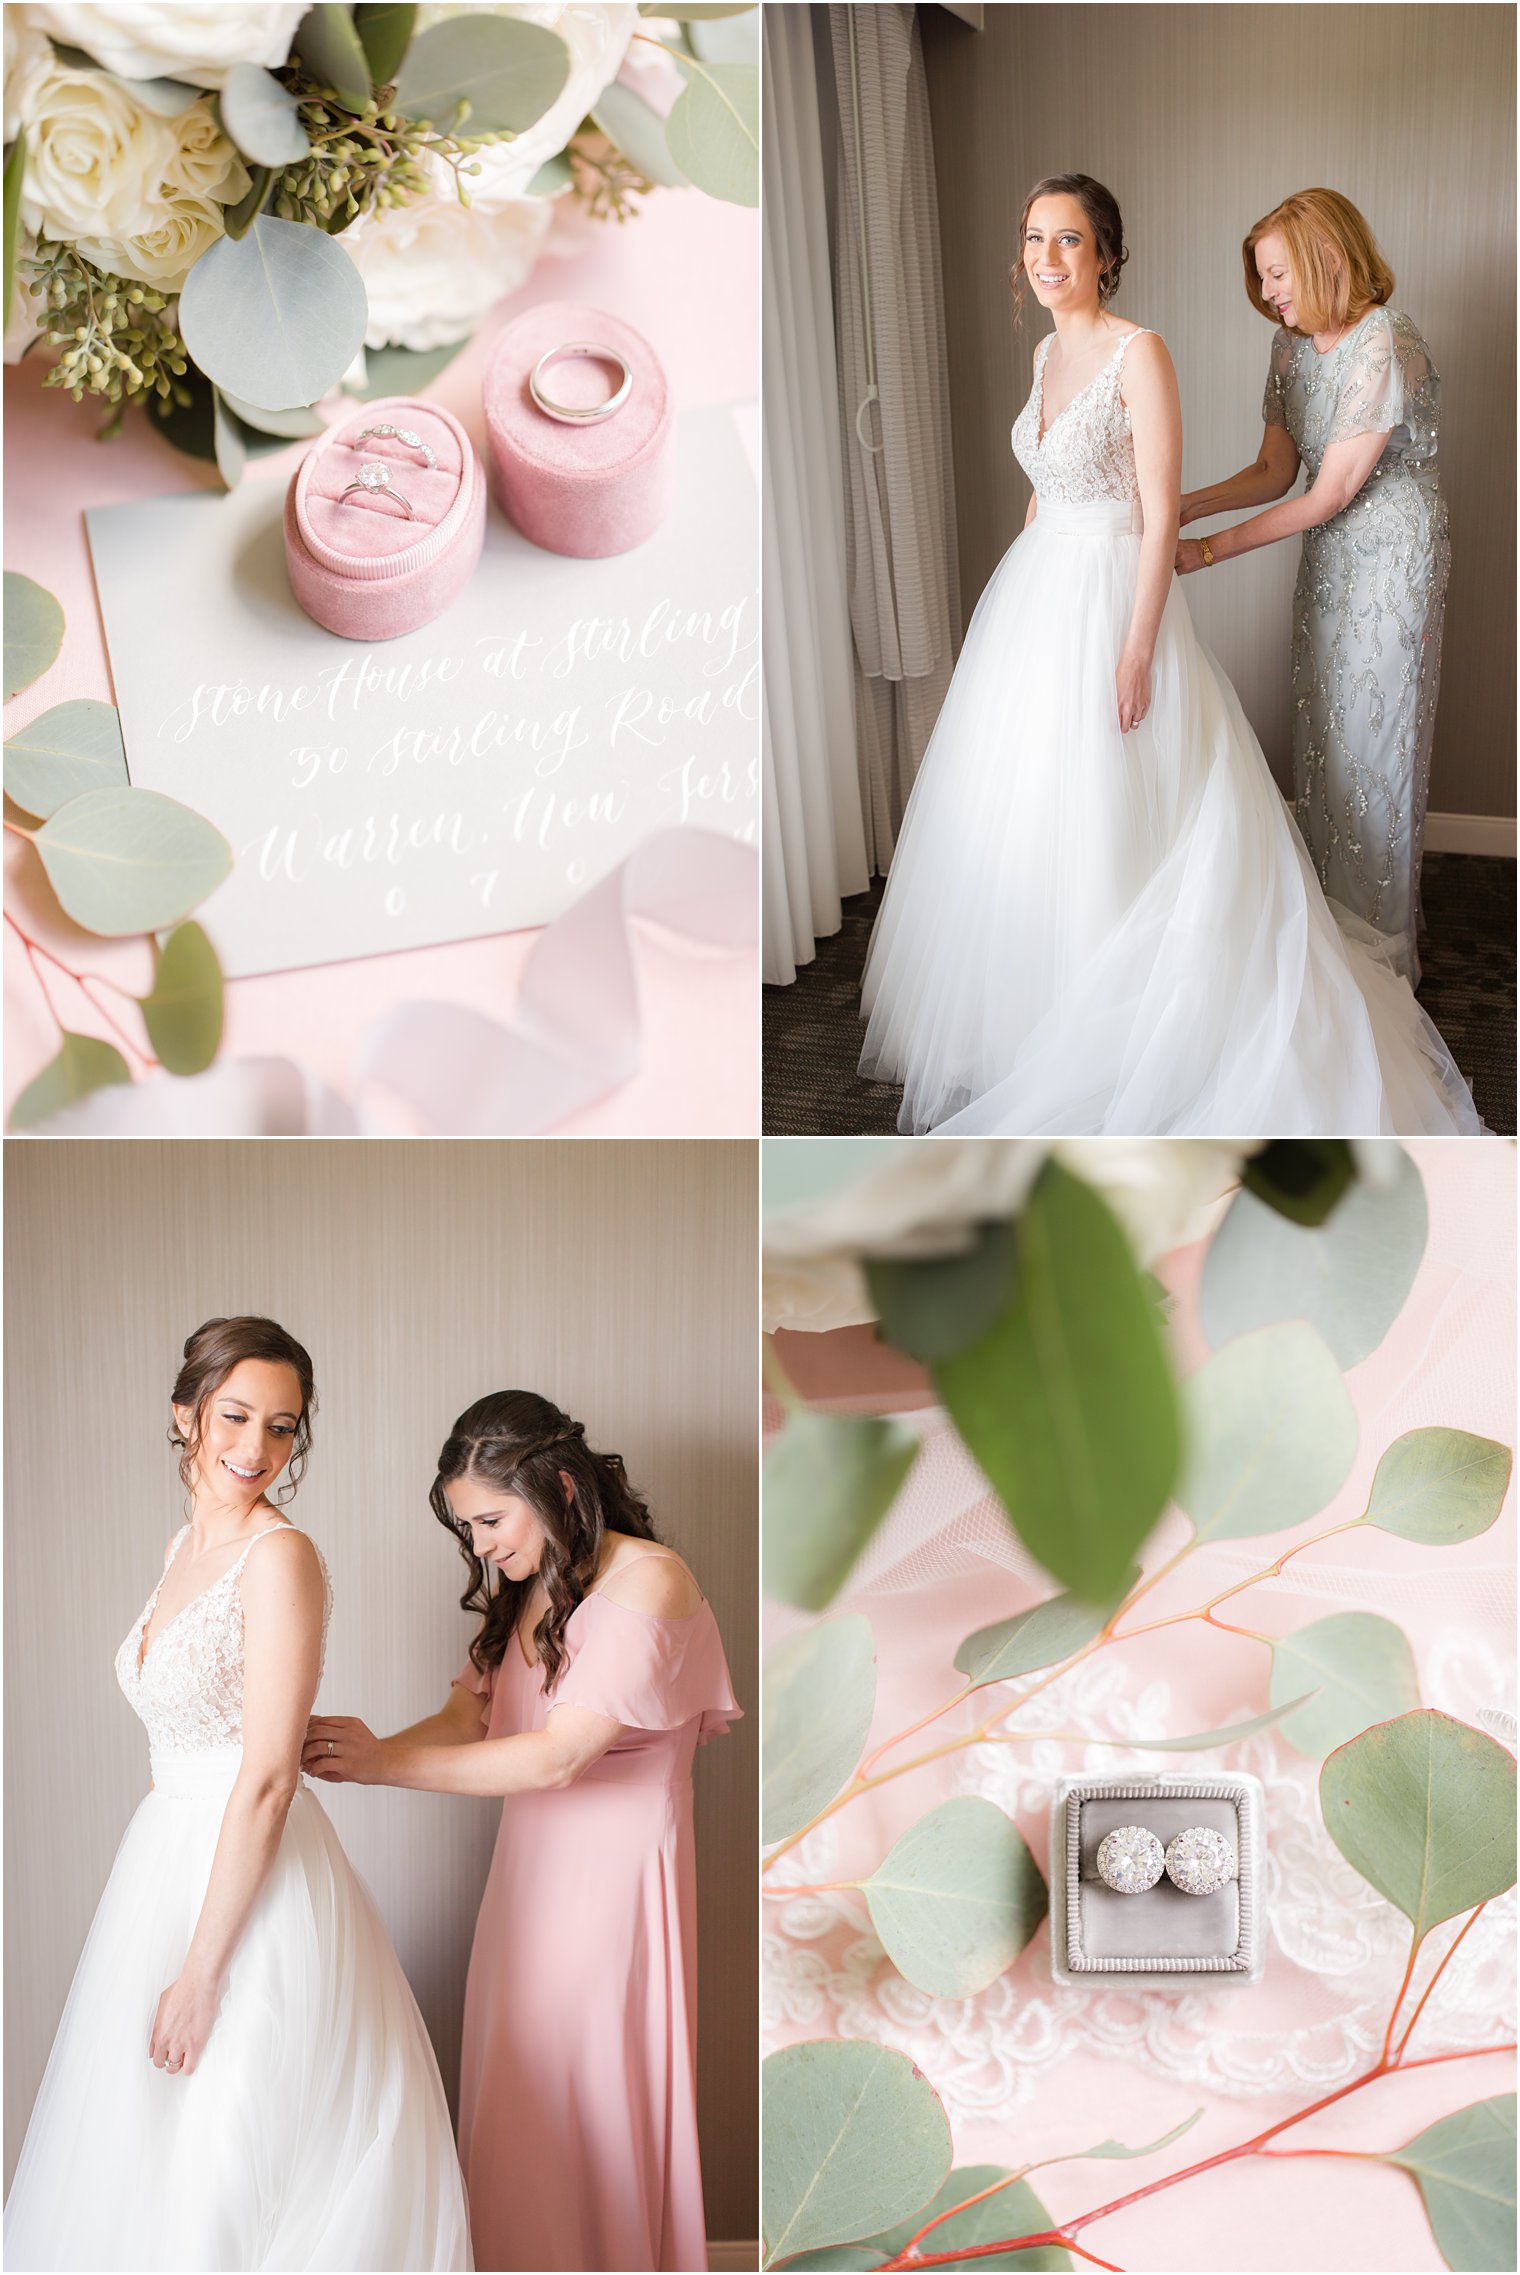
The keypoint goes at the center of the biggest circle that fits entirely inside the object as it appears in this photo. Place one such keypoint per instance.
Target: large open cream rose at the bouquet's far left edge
(94, 158)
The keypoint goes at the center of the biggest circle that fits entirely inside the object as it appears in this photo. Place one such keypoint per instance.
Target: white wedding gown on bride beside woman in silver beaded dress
(1089, 932)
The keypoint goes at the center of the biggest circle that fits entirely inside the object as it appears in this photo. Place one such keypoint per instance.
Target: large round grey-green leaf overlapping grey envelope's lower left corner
(131, 861)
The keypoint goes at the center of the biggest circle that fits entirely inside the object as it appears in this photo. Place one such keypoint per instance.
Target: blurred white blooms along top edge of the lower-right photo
(927, 1198)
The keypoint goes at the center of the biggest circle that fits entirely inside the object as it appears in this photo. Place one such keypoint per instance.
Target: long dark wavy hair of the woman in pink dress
(520, 1443)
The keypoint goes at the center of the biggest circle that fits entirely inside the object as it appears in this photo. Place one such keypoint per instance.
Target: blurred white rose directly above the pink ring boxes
(436, 267)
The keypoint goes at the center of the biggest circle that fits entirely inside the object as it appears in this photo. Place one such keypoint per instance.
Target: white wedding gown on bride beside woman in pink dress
(313, 2131)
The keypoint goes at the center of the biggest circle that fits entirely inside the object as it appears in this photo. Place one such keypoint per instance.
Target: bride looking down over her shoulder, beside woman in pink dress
(242, 2078)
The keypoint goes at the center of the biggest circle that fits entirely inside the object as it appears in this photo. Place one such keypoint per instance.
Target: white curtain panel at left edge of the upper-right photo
(813, 820)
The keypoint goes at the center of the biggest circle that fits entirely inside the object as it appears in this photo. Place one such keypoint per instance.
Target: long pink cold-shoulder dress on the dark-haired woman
(579, 2076)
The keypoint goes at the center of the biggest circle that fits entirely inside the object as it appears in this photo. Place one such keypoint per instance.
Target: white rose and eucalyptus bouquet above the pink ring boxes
(224, 213)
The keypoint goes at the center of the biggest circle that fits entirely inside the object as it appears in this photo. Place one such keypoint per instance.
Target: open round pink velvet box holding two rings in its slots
(361, 565)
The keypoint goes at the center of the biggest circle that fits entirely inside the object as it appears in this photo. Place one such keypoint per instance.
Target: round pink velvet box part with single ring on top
(597, 488)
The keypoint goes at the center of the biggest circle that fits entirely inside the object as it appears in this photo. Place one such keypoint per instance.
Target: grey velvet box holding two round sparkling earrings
(1162, 1939)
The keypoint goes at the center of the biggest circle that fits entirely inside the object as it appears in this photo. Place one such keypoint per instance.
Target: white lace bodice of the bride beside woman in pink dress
(190, 1687)
